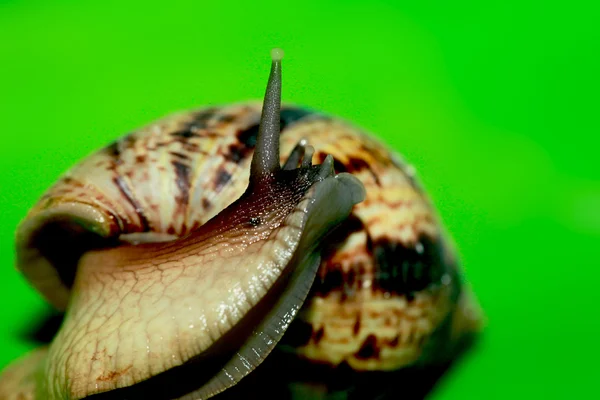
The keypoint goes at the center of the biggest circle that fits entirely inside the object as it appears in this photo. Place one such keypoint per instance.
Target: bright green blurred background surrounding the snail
(495, 104)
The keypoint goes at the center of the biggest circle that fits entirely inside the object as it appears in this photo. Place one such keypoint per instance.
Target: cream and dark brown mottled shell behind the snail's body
(388, 283)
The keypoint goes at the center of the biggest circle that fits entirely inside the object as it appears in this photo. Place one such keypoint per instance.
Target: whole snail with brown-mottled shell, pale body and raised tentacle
(191, 252)
